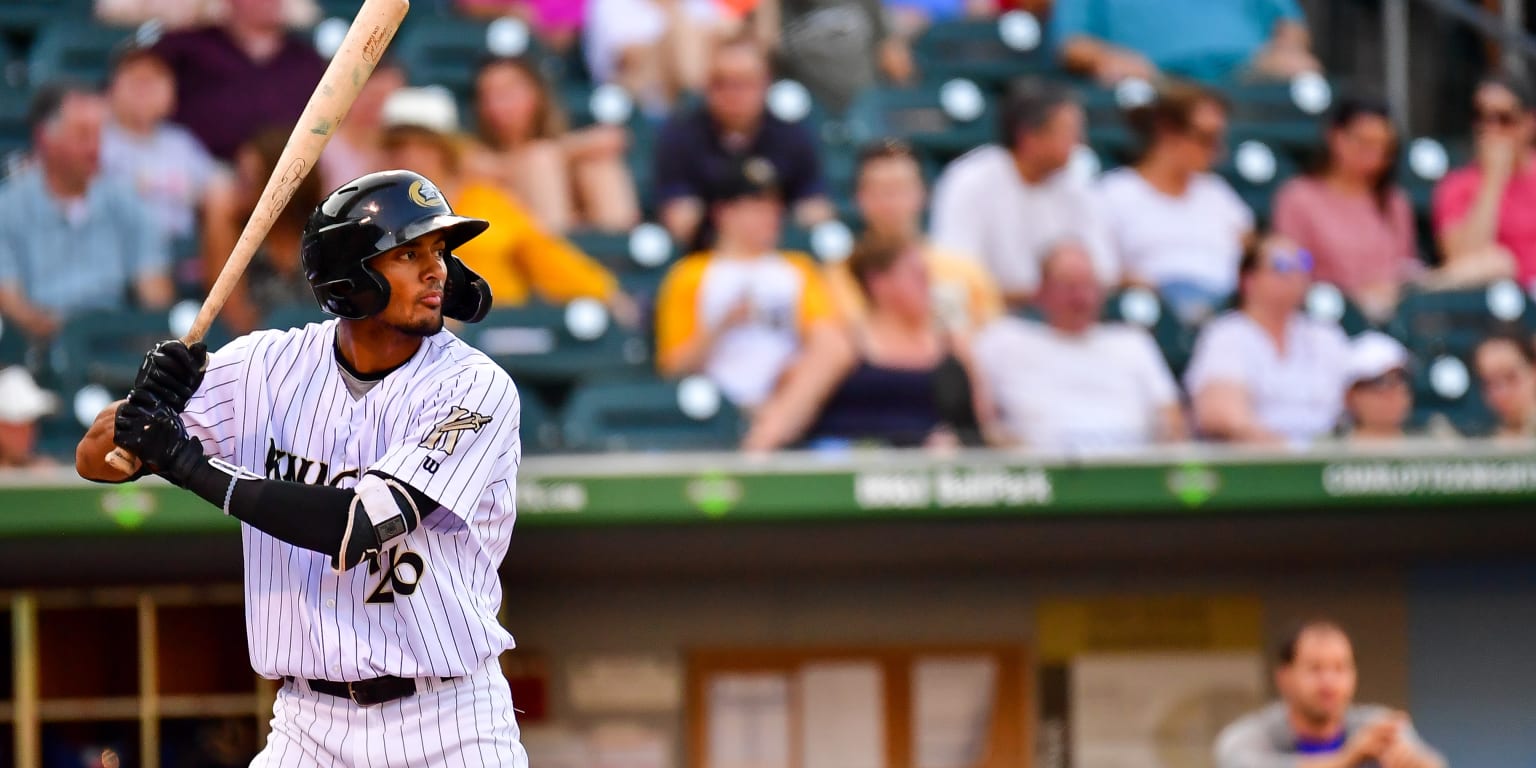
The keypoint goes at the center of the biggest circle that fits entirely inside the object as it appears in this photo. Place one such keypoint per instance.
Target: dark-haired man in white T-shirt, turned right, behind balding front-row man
(1008, 205)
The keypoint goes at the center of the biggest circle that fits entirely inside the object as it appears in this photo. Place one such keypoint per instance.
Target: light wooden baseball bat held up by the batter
(349, 68)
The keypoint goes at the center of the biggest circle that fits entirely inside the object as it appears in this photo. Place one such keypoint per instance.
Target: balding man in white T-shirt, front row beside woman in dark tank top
(1073, 383)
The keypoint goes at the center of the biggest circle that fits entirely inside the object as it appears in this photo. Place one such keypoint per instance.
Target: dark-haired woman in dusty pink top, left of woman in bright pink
(1351, 216)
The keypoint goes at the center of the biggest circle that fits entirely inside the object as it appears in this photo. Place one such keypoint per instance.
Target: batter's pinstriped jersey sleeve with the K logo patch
(458, 440)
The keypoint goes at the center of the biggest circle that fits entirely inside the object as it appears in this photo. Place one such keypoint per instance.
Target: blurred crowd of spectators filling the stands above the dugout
(981, 316)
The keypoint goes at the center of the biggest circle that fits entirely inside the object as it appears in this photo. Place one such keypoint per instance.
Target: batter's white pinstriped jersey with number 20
(445, 423)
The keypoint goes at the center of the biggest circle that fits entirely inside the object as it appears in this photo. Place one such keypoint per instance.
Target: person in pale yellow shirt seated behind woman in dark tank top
(890, 194)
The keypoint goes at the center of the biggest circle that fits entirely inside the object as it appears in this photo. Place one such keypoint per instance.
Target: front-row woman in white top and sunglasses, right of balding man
(1268, 374)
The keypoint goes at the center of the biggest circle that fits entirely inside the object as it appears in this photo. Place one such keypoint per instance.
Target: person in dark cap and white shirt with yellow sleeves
(744, 313)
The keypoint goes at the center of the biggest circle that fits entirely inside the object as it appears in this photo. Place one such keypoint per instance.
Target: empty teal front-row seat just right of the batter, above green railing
(647, 415)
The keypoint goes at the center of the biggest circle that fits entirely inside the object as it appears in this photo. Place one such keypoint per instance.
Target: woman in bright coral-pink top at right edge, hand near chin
(1486, 213)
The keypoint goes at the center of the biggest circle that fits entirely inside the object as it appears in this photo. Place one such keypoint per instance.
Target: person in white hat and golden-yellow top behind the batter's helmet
(515, 256)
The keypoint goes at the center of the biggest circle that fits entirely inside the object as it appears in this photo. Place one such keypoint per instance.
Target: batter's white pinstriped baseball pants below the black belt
(466, 724)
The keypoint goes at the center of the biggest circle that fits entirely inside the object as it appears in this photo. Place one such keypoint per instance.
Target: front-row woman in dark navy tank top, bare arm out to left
(898, 380)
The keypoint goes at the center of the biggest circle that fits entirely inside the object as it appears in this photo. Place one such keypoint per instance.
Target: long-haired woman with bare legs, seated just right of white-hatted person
(568, 179)
